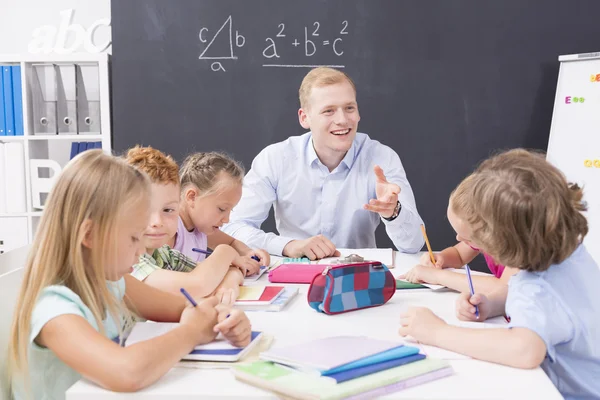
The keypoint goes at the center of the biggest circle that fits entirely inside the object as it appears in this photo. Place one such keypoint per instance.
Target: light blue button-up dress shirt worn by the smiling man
(309, 200)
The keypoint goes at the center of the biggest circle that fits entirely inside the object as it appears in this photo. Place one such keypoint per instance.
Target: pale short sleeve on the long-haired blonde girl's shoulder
(54, 302)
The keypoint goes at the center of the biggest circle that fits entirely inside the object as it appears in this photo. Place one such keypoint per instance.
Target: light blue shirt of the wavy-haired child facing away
(562, 305)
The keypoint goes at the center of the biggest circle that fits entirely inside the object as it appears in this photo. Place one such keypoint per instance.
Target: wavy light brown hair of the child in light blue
(522, 210)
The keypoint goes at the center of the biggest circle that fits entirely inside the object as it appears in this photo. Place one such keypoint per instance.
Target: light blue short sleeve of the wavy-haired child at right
(535, 307)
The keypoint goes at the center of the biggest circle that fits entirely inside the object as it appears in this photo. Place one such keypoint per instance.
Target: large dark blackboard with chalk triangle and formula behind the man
(444, 83)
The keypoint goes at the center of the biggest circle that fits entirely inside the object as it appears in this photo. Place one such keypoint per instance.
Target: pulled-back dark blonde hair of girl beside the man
(202, 170)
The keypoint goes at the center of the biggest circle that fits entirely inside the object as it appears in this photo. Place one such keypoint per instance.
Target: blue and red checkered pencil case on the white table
(348, 287)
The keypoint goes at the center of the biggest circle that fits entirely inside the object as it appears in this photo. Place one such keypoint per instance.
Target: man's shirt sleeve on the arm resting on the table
(258, 195)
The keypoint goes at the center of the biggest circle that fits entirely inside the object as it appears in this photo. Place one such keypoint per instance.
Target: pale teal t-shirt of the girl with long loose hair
(49, 376)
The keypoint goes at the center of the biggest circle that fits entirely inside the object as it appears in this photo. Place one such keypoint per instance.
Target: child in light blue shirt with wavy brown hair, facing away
(520, 209)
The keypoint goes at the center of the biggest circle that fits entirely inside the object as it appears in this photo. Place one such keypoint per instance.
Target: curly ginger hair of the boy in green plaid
(160, 167)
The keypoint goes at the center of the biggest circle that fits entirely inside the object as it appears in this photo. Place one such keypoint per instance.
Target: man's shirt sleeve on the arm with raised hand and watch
(405, 230)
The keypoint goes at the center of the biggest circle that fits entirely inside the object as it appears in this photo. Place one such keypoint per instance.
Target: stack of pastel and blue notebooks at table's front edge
(341, 367)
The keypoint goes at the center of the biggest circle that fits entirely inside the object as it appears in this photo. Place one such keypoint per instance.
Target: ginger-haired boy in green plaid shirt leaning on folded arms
(161, 265)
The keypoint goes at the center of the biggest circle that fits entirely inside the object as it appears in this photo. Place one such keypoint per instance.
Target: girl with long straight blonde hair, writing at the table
(77, 293)
